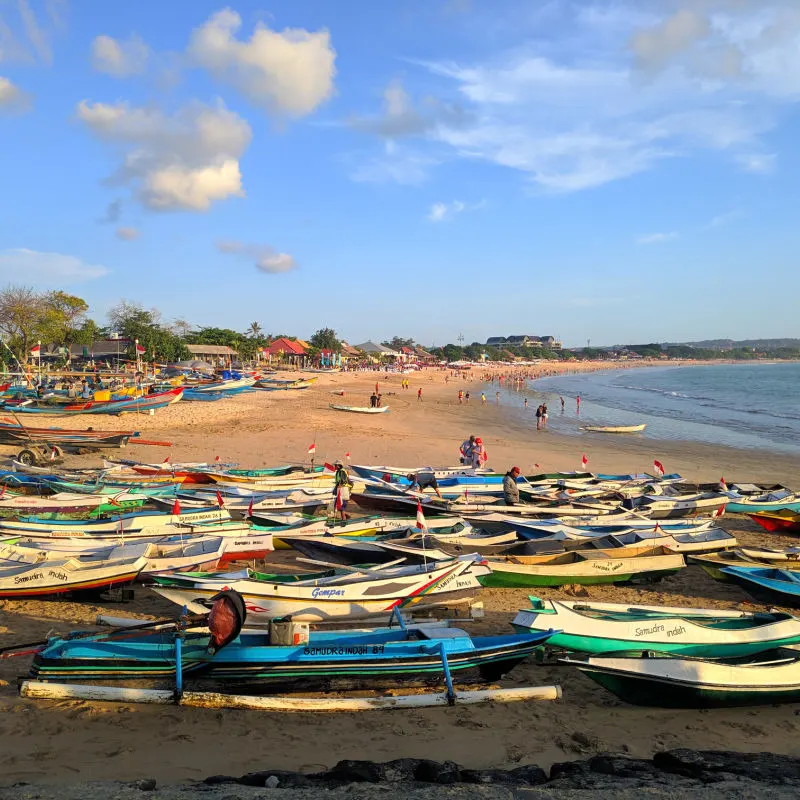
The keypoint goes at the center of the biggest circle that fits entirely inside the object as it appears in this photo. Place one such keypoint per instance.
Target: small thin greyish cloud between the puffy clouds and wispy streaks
(400, 118)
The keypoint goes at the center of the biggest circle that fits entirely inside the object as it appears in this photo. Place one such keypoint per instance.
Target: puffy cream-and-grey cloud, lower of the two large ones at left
(185, 161)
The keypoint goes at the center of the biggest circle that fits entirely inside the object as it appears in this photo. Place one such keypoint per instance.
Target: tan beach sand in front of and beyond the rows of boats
(77, 741)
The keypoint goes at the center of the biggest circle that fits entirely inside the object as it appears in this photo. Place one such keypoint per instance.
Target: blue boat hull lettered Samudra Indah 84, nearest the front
(400, 653)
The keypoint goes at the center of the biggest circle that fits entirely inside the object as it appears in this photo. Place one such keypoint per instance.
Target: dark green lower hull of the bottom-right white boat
(668, 694)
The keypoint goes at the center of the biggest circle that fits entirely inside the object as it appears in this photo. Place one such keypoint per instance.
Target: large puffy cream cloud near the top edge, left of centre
(287, 73)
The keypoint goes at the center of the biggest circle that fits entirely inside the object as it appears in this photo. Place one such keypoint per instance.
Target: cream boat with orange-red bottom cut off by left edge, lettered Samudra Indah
(24, 579)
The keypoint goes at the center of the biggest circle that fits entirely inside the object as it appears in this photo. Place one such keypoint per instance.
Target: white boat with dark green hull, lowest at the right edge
(667, 681)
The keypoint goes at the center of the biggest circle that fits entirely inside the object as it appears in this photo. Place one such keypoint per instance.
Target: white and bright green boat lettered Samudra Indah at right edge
(589, 627)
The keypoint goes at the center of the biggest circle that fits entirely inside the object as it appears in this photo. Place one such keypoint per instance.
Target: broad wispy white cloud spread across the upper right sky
(575, 110)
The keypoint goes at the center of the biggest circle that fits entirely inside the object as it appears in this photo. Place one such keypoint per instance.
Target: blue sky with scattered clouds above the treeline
(613, 171)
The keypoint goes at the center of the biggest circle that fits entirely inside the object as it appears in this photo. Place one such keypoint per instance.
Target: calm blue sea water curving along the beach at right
(740, 405)
